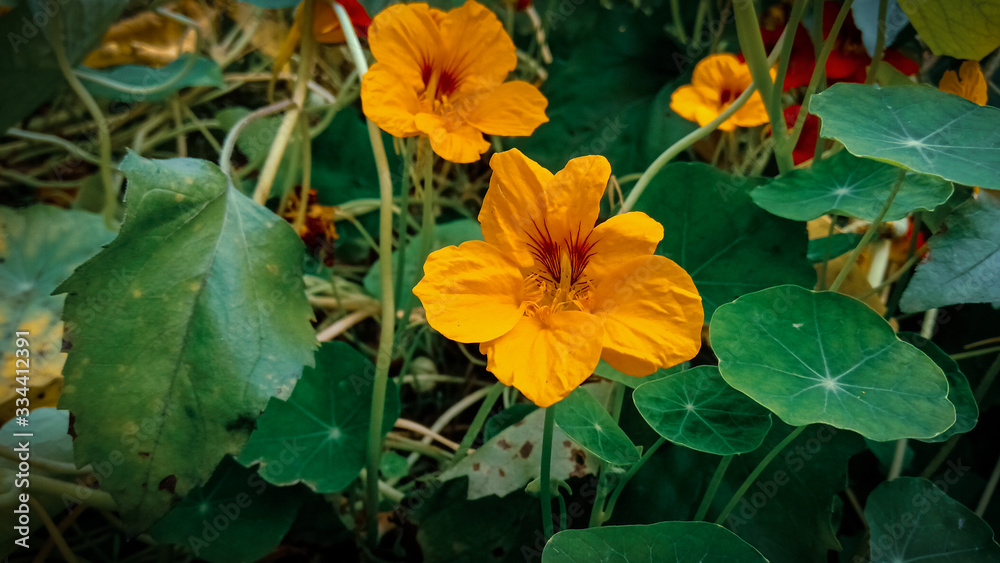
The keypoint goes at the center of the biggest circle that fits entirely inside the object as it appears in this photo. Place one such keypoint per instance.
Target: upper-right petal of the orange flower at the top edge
(476, 49)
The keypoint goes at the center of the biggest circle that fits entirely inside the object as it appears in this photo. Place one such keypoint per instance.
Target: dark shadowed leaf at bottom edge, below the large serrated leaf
(233, 518)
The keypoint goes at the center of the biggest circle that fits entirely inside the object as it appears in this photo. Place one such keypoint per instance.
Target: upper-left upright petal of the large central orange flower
(512, 201)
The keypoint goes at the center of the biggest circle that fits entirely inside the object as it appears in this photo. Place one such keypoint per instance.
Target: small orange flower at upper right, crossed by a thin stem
(717, 81)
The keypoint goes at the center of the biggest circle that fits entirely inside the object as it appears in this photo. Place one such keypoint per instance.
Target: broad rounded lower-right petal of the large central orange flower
(652, 315)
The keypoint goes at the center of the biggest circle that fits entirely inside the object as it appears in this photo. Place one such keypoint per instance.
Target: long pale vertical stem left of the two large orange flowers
(384, 357)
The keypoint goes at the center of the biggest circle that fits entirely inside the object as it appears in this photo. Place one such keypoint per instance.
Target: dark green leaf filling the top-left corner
(27, 61)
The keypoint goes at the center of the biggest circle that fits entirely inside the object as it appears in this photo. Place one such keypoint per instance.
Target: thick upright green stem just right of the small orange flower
(752, 45)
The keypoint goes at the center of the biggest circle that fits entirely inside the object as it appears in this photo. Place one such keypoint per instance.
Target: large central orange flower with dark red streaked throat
(547, 294)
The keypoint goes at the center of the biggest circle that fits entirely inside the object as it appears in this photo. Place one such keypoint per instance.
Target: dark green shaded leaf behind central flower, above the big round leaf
(716, 233)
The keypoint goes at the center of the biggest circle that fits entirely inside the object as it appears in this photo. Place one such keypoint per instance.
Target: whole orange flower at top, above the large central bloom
(442, 74)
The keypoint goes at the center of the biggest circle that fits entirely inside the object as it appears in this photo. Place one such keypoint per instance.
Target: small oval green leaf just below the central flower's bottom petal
(586, 421)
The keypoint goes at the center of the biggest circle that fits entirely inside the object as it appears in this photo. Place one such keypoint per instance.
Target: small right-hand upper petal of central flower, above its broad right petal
(621, 239)
